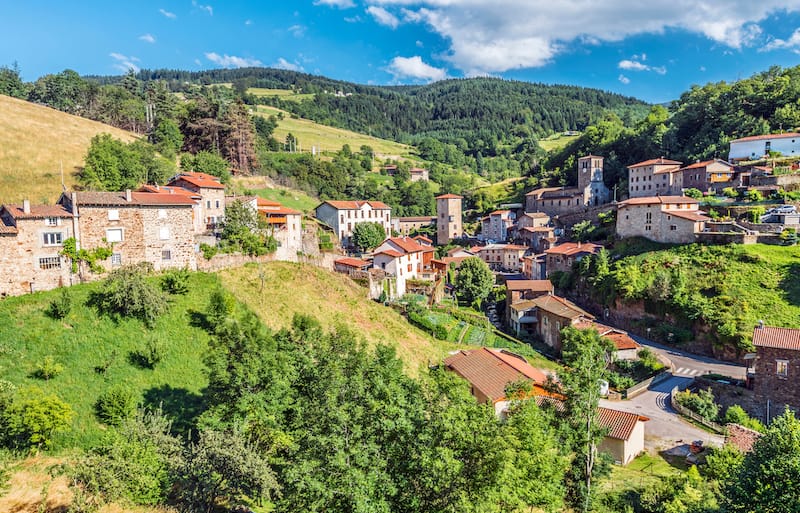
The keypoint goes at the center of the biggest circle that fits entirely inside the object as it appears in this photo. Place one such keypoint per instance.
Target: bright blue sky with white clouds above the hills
(652, 50)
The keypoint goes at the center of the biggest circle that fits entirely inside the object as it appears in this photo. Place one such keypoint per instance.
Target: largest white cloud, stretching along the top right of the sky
(495, 36)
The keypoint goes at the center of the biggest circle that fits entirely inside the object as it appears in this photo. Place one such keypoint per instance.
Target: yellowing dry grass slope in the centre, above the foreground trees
(334, 300)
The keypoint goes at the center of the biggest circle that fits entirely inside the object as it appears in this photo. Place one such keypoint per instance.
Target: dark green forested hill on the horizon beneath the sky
(477, 115)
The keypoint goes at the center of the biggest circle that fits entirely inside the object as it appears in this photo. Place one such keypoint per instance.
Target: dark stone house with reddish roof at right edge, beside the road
(777, 368)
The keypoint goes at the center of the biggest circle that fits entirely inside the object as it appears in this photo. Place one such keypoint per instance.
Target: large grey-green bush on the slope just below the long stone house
(126, 293)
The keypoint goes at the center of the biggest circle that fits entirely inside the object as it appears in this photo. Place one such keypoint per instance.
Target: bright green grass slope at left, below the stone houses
(83, 342)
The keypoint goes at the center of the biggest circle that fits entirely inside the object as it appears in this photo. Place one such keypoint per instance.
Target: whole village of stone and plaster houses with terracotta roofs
(523, 244)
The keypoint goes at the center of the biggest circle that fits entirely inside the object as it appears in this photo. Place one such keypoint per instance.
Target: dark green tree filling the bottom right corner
(768, 479)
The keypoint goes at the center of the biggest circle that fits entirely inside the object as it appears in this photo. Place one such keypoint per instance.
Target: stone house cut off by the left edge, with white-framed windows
(31, 241)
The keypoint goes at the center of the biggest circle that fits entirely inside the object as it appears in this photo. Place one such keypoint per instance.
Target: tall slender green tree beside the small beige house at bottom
(586, 356)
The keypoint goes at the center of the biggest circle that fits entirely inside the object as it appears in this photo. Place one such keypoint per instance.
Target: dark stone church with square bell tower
(590, 191)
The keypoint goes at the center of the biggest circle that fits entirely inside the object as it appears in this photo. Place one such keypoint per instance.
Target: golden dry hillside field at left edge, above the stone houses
(36, 141)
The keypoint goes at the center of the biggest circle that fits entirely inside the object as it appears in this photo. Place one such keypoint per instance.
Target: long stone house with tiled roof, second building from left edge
(141, 226)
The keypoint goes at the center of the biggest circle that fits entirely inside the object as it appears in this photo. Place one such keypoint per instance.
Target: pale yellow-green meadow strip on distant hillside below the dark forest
(309, 133)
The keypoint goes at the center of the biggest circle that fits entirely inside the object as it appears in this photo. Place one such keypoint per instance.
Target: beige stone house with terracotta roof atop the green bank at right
(668, 219)
